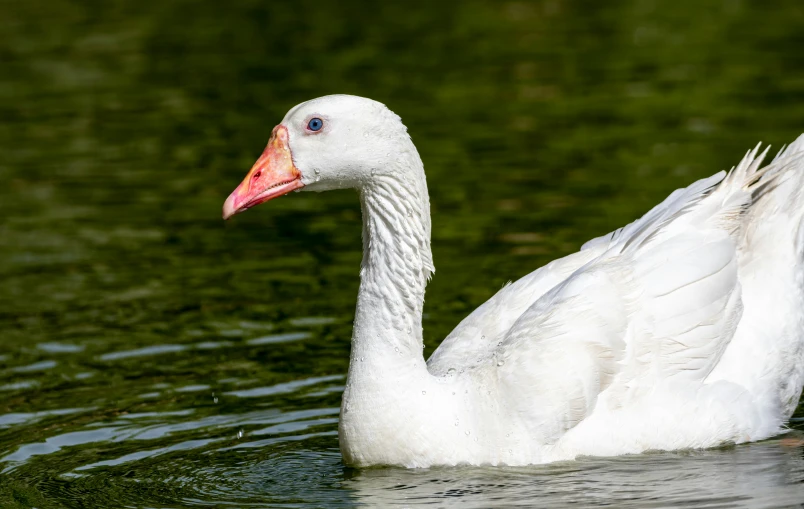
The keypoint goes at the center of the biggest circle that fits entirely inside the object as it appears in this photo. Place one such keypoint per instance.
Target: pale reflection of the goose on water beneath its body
(729, 478)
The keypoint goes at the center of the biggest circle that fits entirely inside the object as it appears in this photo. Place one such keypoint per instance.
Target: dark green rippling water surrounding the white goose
(153, 356)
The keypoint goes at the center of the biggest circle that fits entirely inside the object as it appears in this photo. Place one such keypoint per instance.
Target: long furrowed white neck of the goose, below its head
(396, 265)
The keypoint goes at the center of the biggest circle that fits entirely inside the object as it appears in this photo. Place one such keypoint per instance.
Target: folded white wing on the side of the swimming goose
(658, 304)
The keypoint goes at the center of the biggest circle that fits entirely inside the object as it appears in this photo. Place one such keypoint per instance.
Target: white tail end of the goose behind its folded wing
(773, 293)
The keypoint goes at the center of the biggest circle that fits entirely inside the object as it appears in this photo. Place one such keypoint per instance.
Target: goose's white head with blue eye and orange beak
(333, 142)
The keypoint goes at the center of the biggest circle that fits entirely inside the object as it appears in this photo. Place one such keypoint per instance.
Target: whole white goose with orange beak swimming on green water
(684, 329)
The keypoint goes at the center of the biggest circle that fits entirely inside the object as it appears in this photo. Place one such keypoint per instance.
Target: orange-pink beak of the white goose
(273, 175)
